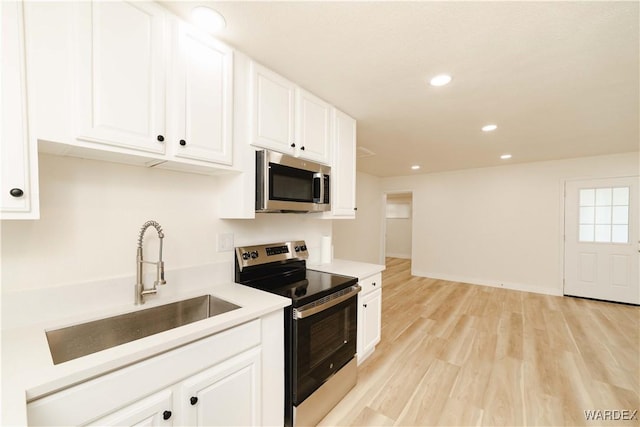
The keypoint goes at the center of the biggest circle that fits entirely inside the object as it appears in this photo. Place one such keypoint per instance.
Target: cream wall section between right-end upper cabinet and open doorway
(361, 239)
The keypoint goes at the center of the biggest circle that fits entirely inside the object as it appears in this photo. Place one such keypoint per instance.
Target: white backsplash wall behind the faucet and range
(92, 211)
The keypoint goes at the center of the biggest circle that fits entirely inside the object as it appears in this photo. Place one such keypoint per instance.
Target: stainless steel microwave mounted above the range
(289, 184)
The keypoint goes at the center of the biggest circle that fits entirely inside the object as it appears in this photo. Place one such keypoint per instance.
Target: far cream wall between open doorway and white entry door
(499, 226)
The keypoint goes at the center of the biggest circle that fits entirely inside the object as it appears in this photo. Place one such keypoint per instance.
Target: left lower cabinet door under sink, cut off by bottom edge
(155, 410)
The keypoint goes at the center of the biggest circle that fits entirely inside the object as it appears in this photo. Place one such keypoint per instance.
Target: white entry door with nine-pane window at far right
(601, 239)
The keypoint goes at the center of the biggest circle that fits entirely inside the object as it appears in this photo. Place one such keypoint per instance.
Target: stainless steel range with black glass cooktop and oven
(320, 326)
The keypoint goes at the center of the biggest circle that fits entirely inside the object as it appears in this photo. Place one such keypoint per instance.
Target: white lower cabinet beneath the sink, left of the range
(216, 381)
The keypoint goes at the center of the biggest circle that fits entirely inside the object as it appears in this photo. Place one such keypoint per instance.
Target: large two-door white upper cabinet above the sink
(127, 81)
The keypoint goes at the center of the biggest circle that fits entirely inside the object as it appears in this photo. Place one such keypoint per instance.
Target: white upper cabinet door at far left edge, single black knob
(18, 151)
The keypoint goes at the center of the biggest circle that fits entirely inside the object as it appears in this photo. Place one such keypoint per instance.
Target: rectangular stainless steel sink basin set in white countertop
(80, 340)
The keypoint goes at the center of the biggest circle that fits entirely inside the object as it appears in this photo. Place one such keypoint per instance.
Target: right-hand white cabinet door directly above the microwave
(313, 127)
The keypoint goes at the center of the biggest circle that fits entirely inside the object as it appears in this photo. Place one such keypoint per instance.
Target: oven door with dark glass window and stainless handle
(324, 340)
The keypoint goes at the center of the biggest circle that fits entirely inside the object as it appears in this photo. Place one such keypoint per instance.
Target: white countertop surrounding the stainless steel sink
(28, 370)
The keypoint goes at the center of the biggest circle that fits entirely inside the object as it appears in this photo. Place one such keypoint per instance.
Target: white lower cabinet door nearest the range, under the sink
(227, 394)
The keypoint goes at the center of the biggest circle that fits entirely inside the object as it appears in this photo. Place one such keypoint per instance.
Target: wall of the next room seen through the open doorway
(398, 227)
